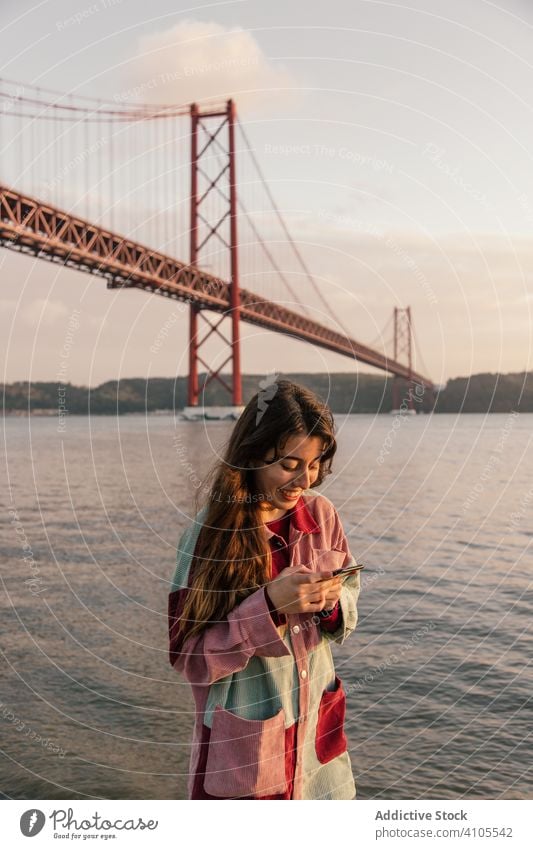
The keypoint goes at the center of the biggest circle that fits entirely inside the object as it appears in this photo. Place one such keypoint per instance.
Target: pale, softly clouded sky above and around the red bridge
(397, 140)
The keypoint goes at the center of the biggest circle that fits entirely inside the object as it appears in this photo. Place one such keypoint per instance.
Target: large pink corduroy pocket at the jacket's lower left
(246, 757)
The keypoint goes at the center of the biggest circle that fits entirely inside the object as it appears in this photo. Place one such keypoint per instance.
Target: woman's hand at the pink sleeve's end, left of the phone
(298, 589)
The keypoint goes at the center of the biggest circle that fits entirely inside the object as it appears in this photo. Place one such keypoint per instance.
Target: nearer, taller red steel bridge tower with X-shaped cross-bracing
(213, 177)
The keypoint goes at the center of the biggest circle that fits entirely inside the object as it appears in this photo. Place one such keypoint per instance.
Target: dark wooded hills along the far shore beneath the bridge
(345, 393)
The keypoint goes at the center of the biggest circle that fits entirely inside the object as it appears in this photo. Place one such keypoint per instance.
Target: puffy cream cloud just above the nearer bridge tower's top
(196, 61)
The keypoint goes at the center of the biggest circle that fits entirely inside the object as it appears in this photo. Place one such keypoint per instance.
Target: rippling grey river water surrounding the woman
(438, 672)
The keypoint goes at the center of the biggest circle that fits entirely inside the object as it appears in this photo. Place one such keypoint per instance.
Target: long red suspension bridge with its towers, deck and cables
(84, 172)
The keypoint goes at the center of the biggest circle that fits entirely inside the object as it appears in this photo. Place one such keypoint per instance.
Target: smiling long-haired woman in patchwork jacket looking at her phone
(254, 606)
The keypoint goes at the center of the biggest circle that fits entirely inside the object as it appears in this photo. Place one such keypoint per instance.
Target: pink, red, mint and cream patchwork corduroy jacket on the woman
(253, 681)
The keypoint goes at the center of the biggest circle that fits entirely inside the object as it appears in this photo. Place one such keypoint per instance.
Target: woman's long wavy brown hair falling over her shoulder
(232, 557)
